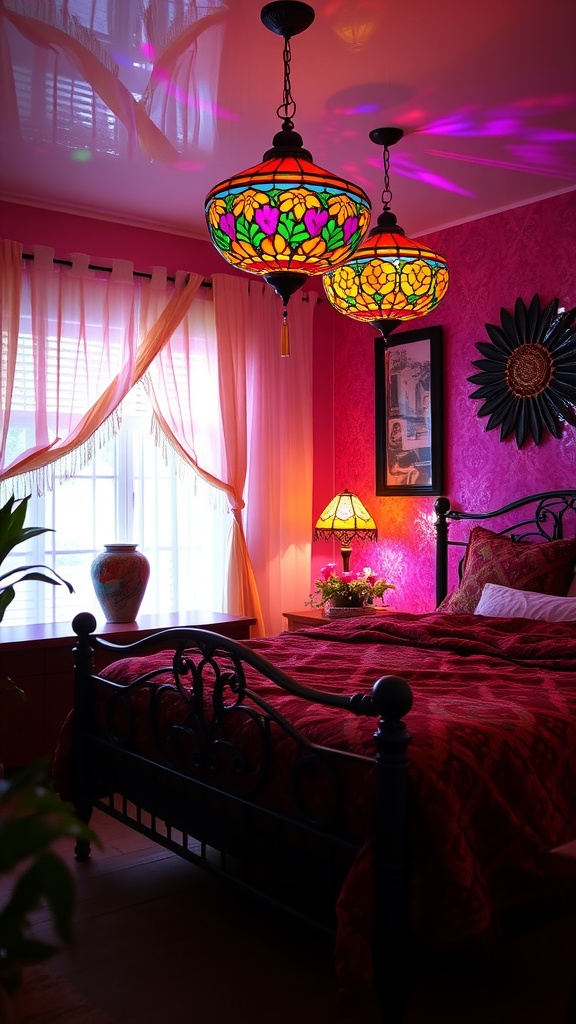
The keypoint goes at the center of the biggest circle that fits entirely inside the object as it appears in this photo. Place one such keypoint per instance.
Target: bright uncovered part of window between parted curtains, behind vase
(130, 491)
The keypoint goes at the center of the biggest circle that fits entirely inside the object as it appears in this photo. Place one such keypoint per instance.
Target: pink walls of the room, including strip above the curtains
(493, 262)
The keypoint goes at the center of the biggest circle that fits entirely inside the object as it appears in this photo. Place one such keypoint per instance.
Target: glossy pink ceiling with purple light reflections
(134, 117)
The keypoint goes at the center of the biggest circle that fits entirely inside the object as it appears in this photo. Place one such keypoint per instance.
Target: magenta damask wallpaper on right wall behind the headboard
(519, 253)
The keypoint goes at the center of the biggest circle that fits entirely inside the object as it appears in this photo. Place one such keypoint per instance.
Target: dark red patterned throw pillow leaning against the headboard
(546, 568)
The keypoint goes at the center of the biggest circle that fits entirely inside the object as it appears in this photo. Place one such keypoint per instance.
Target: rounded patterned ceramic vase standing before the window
(120, 575)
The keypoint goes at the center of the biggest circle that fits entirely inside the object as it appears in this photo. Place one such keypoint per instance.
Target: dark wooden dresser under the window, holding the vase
(40, 661)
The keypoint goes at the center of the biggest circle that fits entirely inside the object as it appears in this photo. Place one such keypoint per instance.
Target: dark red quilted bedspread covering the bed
(493, 754)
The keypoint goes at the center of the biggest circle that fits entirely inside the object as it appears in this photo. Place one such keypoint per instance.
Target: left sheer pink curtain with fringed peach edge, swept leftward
(79, 353)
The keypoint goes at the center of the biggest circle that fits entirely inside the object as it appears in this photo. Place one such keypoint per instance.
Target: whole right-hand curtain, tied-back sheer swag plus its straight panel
(248, 419)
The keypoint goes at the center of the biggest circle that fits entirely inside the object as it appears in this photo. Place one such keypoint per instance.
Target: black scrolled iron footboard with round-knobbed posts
(233, 785)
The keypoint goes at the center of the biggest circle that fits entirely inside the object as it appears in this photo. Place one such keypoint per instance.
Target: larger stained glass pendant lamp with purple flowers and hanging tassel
(286, 220)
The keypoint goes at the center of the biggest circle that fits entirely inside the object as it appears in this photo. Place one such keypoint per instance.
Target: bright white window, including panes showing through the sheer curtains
(132, 490)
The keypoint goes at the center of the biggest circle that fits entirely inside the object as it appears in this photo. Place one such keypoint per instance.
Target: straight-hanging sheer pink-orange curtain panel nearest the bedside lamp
(279, 524)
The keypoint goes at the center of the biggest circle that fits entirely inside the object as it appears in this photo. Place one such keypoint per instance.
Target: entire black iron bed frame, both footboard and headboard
(227, 830)
